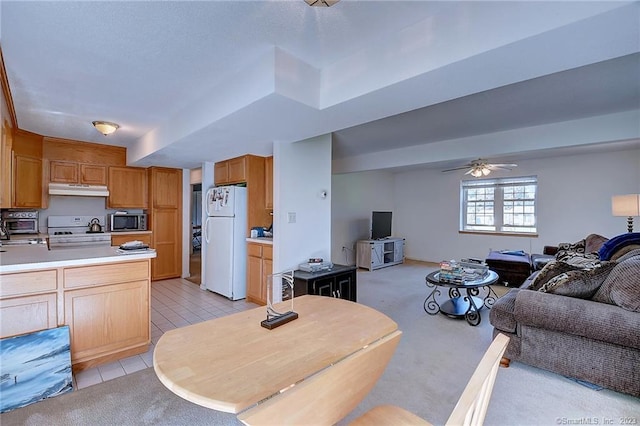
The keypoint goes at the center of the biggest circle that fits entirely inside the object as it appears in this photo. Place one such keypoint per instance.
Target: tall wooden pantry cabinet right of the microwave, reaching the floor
(165, 221)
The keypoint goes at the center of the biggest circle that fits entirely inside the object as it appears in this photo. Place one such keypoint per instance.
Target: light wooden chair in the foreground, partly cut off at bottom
(471, 407)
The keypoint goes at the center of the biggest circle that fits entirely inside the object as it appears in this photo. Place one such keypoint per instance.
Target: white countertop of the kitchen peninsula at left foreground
(36, 256)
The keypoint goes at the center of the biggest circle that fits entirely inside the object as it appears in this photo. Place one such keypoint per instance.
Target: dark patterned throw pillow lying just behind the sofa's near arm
(582, 283)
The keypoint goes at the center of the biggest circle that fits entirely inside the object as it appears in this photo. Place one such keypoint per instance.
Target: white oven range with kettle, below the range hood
(74, 231)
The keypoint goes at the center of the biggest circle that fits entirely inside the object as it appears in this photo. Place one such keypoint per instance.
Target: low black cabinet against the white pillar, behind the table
(338, 282)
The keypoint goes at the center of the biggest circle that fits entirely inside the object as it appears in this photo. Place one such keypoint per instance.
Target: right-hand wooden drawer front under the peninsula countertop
(106, 274)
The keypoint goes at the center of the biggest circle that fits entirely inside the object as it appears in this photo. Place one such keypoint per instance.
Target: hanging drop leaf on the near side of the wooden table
(328, 396)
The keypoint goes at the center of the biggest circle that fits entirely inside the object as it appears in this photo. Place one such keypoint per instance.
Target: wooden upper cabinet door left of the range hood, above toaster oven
(27, 181)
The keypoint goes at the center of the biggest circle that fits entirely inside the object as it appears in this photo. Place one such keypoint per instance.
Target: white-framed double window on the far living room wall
(499, 205)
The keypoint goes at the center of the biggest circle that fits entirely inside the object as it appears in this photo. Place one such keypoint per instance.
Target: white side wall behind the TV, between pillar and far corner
(355, 196)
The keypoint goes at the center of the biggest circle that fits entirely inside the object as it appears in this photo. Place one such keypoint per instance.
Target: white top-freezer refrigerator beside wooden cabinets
(225, 253)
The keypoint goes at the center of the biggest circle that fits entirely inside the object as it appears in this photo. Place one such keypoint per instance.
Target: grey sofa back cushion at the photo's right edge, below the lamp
(622, 286)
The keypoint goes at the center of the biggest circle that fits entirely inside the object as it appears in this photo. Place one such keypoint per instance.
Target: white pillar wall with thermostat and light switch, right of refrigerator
(301, 171)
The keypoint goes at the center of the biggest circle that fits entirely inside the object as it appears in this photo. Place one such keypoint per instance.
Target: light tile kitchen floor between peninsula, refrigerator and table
(174, 303)
